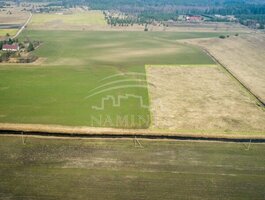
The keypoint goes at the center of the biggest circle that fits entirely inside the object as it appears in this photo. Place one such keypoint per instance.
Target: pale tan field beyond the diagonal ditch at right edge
(243, 56)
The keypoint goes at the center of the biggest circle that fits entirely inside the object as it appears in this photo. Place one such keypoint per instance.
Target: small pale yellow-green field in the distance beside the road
(83, 18)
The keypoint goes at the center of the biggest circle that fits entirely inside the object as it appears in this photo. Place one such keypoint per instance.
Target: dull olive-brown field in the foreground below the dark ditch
(115, 169)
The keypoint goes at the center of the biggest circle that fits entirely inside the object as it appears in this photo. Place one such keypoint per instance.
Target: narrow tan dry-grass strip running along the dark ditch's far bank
(88, 131)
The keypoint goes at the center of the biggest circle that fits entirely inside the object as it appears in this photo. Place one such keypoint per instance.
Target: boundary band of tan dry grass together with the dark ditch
(57, 130)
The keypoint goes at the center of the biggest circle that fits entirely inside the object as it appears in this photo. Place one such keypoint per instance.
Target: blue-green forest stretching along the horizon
(248, 12)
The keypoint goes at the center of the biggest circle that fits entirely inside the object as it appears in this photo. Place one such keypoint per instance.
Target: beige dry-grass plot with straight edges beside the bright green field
(201, 98)
